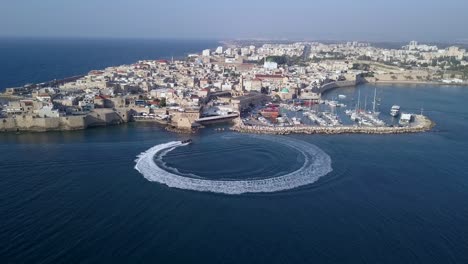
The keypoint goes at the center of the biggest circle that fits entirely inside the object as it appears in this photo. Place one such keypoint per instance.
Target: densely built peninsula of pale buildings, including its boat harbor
(254, 87)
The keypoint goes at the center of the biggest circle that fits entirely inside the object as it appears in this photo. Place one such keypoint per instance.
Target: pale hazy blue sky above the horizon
(217, 19)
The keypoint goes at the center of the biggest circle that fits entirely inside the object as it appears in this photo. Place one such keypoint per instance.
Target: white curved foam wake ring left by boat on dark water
(316, 164)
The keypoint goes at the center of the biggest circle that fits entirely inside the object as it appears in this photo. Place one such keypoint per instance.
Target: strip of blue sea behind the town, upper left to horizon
(26, 61)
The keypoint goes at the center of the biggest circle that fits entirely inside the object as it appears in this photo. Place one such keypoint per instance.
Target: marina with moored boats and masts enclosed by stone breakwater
(323, 116)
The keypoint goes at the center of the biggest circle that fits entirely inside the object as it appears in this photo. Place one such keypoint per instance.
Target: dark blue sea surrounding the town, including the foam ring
(76, 196)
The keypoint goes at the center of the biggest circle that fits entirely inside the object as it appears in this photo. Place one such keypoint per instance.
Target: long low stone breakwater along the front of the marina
(421, 124)
